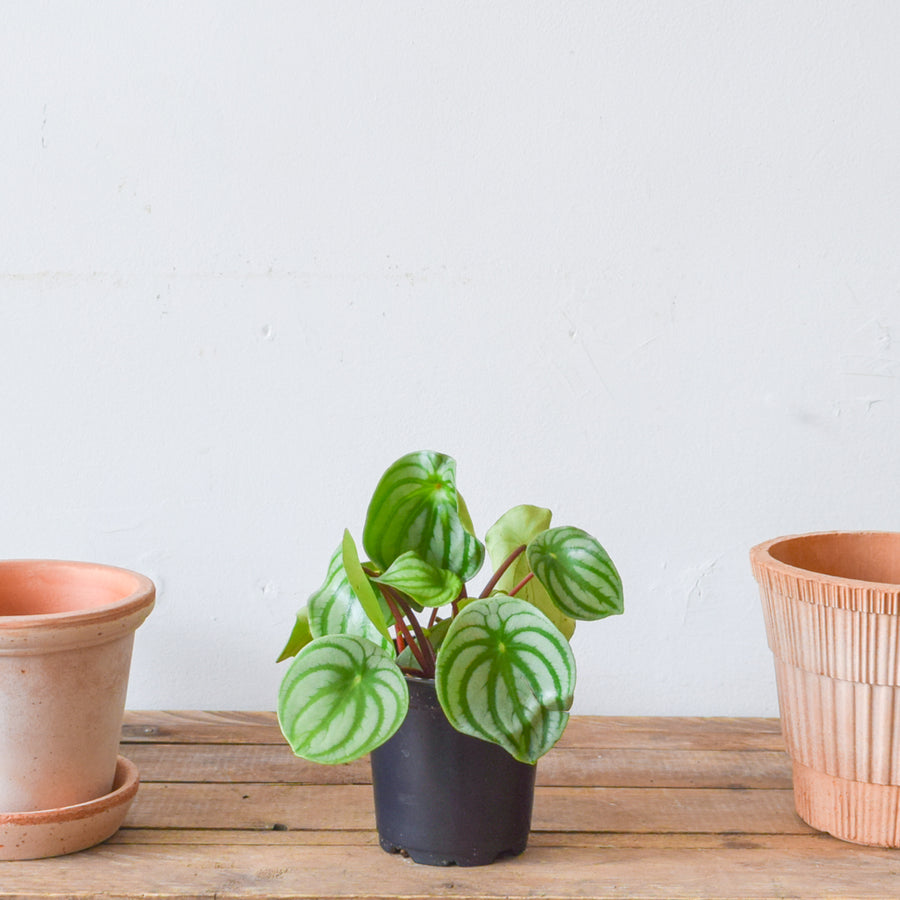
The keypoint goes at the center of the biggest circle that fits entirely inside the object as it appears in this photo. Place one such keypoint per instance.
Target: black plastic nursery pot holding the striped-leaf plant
(445, 798)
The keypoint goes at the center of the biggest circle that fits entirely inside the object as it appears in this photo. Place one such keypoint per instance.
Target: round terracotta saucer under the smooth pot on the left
(53, 832)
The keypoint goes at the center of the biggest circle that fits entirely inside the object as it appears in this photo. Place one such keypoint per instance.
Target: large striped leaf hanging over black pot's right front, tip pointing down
(506, 674)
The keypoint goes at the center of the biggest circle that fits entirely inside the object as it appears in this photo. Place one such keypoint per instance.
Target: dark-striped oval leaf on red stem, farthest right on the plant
(577, 572)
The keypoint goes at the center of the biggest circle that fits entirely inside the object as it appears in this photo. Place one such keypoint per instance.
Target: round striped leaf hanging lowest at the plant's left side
(341, 697)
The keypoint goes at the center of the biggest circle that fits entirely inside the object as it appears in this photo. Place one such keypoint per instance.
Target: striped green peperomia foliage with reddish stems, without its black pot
(501, 661)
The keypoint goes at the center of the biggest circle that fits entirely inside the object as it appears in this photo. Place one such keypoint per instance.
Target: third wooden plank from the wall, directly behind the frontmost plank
(312, 807)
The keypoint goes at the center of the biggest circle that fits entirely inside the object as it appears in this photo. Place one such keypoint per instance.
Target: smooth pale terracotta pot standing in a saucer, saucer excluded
(66, 636)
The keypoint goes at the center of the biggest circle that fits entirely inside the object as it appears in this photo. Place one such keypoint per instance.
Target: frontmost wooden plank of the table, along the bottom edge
(242, 872)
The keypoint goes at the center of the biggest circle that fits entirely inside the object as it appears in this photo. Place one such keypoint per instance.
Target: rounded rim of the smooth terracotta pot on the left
(139, 601)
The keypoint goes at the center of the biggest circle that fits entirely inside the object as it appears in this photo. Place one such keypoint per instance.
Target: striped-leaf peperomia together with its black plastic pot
(455, 696)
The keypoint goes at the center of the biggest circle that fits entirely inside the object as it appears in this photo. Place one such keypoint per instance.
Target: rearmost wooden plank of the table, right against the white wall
(584, 732)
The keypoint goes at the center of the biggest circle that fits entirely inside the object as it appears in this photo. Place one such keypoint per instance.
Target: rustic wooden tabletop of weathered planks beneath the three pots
(625, 807)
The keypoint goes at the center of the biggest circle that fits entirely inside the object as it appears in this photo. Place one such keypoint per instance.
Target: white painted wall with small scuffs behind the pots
(634, 261)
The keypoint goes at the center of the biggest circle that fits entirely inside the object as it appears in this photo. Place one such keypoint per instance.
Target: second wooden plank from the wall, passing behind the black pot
(223, 763)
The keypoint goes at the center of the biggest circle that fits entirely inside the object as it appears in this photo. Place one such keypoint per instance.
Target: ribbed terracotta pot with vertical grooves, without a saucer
(831, 603)
